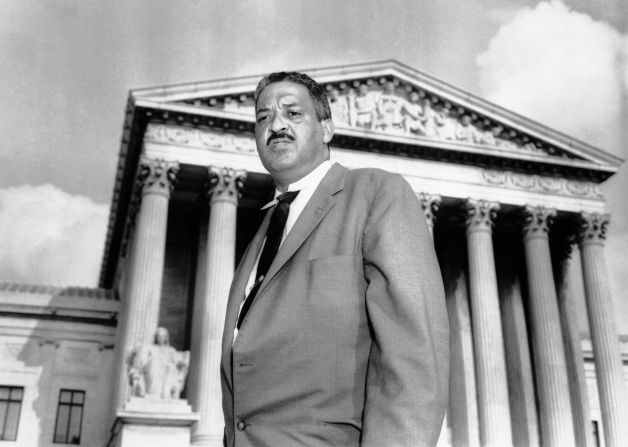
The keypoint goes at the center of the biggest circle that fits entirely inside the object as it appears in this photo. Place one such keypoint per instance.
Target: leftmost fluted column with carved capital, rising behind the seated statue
(143, 292)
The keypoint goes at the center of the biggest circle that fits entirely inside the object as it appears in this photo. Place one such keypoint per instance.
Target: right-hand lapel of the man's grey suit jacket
(318, 206)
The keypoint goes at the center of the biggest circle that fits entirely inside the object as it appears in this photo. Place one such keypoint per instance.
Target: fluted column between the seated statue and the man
(210, 304)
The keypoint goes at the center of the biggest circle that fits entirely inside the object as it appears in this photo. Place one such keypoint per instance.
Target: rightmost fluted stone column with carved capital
(608, 364)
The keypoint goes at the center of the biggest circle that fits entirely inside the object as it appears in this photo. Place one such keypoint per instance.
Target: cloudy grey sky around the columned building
(66, 67)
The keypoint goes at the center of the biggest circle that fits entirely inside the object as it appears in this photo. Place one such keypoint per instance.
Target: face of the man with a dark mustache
(291, 141)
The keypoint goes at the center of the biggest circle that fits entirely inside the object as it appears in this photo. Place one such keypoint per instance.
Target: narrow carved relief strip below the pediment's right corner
(535, 183)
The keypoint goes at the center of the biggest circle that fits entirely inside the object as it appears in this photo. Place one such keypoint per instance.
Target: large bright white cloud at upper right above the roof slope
(559, 67)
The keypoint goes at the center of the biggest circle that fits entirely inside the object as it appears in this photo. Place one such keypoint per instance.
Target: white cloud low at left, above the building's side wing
(50, 237)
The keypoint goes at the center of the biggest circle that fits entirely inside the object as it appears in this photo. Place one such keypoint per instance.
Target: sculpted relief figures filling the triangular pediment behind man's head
(388, 106)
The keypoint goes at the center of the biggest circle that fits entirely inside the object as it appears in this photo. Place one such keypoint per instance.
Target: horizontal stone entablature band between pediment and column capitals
(196, 147)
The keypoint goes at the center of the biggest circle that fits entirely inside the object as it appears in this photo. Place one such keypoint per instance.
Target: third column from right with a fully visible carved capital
(492, 382)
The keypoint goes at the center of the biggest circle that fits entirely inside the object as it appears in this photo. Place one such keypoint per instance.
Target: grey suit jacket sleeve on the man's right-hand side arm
(408, 367)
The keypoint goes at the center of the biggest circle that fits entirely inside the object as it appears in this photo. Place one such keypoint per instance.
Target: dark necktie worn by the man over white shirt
(273, 240)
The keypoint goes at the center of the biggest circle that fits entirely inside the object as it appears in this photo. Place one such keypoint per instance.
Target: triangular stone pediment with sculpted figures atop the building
(389, 103)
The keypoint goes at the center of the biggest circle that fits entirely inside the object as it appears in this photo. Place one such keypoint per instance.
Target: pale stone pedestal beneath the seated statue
(153, 422)
